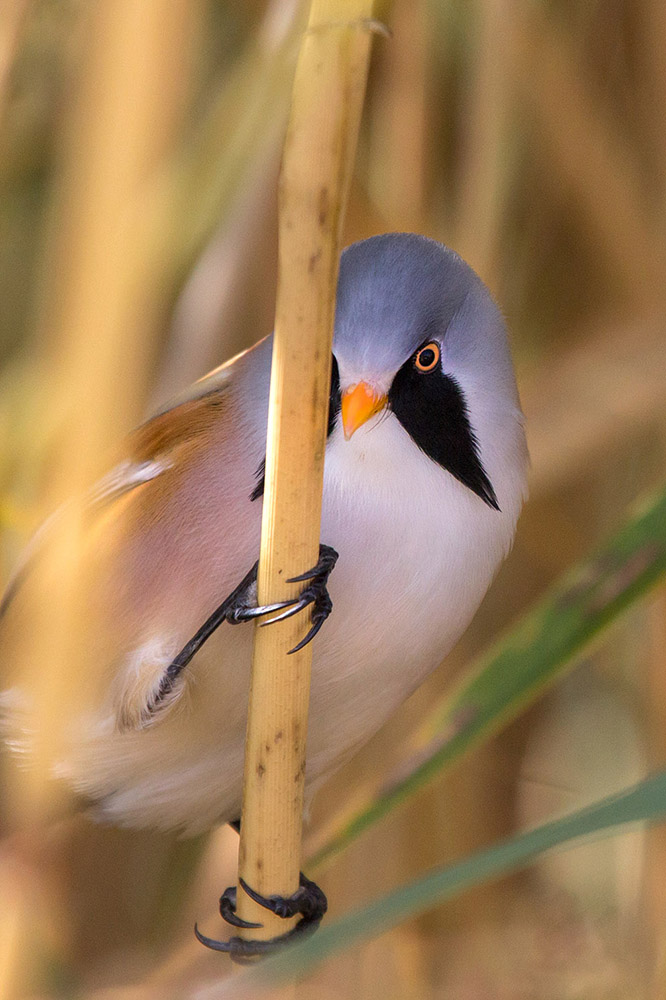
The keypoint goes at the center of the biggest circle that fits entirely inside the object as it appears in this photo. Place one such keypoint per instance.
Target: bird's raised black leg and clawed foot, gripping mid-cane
(241, 606)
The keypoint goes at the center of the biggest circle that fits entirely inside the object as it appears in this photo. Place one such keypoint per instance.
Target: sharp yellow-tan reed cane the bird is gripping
(318, 156)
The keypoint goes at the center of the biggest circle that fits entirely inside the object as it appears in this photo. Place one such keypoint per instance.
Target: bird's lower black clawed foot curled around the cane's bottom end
(309, 901)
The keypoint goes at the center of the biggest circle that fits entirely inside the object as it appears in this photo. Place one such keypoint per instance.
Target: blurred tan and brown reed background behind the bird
(139, 149)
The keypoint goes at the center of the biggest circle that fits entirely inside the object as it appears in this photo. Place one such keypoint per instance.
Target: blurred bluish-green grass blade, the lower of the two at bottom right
(645, 802)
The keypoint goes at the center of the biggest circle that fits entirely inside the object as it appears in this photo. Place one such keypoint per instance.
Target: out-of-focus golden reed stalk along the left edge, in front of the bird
(97, 339)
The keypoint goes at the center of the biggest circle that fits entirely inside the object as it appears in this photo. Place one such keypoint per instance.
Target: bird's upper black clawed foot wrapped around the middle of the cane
(242, 602)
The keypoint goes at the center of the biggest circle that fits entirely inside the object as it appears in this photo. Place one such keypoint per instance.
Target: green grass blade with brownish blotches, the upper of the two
(519, 668)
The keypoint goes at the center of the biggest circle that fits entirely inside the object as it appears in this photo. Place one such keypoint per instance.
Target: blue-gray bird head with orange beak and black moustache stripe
(417, 332)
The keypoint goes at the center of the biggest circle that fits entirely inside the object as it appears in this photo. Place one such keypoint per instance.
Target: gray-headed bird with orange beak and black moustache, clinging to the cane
(425, 475)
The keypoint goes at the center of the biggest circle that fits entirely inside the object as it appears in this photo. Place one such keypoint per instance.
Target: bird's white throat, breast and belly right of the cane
(418, 551)
